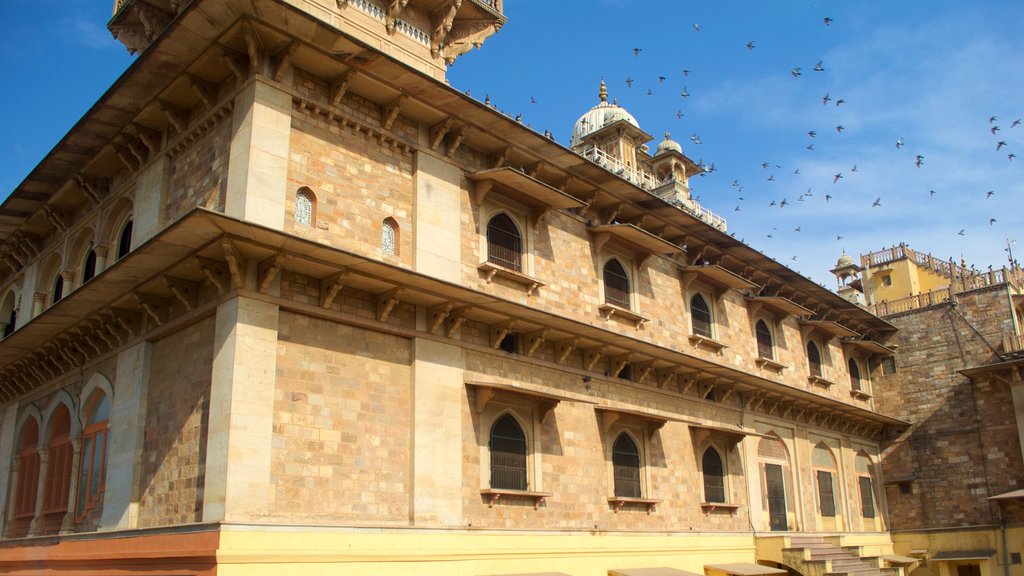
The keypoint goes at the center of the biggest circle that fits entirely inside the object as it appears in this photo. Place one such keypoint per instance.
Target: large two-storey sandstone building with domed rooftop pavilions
(284, 302)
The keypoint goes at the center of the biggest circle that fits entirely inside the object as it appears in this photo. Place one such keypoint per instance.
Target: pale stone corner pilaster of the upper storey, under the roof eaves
(258, 170)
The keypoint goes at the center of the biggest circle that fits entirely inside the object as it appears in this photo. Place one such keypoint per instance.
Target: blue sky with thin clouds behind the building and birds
(928, 73)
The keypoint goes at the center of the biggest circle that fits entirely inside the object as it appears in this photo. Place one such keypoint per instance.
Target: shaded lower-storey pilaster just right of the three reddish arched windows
(124, 447)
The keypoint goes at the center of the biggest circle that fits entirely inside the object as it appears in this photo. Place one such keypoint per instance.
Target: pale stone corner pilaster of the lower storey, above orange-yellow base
(241, 432)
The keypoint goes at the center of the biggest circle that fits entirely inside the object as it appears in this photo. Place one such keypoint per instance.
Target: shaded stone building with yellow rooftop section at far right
(955, 479)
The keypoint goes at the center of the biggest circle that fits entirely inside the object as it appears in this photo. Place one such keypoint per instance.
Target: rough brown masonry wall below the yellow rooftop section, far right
(963, 444)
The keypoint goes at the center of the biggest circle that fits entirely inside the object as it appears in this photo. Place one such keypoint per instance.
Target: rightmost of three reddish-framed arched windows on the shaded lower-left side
(94, 466)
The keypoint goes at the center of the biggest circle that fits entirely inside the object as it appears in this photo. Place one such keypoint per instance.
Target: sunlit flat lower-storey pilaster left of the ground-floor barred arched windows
(438, 397)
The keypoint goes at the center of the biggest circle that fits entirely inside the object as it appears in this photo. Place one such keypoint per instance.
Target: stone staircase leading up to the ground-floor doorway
(820, 556)
